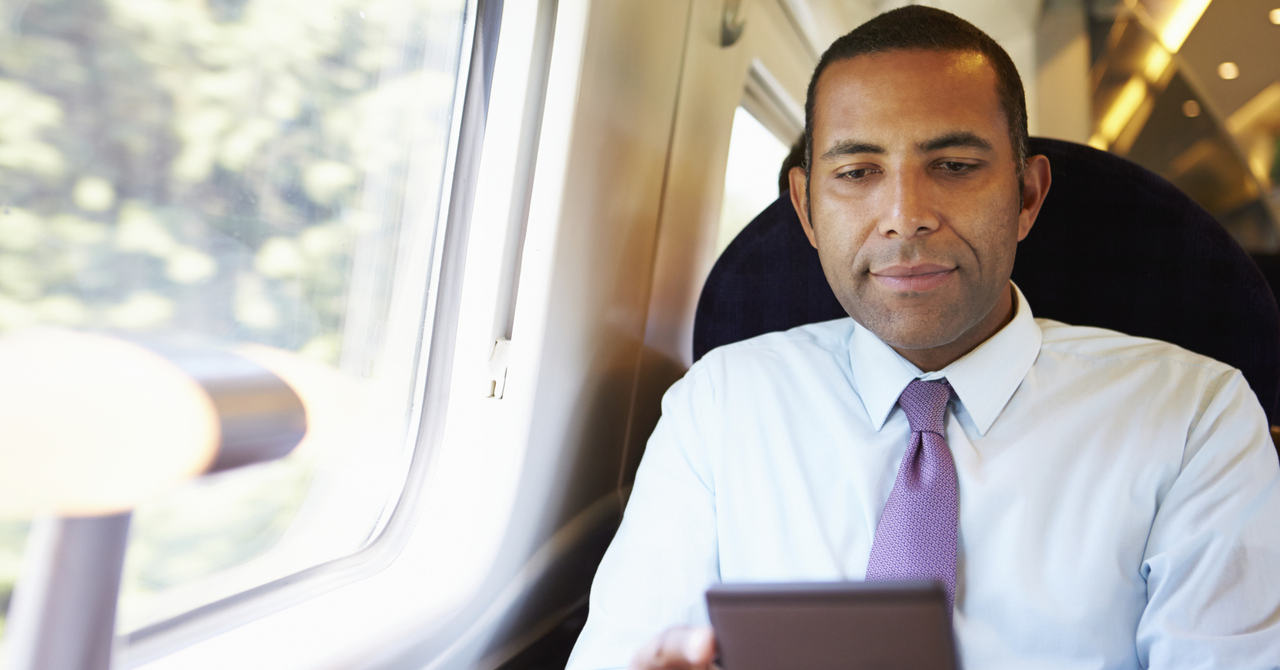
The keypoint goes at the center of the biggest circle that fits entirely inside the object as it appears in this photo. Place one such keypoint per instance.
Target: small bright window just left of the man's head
(751, 177)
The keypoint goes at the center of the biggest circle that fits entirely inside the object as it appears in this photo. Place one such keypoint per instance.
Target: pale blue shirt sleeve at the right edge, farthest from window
(1213, 560)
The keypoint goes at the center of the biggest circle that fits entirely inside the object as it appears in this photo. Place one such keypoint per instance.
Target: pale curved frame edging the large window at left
(478, 47)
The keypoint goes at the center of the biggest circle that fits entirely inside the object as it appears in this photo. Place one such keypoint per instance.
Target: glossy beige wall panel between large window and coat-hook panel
(604, 254)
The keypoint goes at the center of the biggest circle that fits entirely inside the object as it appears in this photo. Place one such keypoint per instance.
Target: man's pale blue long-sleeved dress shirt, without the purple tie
(1119, 496)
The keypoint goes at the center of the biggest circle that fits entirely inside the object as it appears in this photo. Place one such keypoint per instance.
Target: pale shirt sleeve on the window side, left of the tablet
(665, 555)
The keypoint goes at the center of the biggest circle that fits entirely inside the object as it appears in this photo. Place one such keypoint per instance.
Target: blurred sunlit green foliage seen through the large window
(214, 168)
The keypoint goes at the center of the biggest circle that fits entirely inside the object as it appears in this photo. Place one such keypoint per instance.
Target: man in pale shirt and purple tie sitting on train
(1091, 500)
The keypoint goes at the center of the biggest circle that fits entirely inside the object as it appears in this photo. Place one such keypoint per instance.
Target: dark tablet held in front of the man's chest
(840, 626)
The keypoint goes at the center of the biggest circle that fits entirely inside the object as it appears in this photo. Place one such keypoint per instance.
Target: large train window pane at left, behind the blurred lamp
(264, 174)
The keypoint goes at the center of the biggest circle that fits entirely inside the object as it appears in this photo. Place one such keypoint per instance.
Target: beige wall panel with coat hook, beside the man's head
(710, 92)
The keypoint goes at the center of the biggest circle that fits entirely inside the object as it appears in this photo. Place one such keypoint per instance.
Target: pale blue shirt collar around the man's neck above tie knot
(984, 380)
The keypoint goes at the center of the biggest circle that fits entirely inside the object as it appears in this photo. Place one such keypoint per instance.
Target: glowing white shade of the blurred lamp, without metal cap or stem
(92, 425)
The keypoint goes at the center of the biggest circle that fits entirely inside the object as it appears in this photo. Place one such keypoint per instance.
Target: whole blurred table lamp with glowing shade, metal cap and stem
(90, 427)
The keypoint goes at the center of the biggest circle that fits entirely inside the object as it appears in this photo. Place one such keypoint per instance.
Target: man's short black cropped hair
(932, 30)
